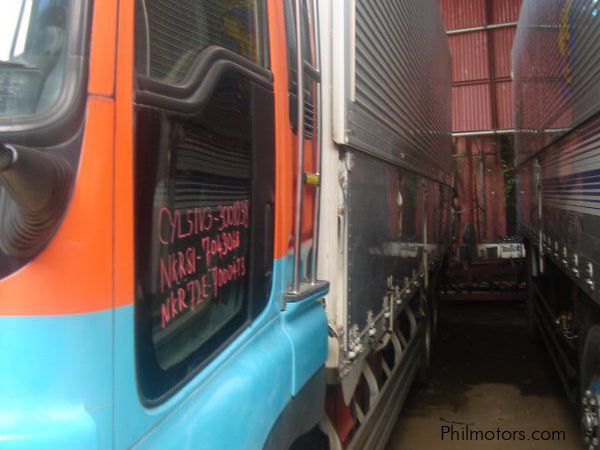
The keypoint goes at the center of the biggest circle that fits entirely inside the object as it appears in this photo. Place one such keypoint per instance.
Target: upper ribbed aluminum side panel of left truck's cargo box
(396, 97)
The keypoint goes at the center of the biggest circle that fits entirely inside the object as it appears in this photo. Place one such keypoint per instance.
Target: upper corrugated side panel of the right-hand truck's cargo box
(556, 66)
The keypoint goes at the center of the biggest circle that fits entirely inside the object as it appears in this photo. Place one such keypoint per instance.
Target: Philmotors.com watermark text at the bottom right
(466, 432)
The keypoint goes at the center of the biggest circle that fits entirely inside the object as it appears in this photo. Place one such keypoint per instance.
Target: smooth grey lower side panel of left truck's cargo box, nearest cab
(385, 232)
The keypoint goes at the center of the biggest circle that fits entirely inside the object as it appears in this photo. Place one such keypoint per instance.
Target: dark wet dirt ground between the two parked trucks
(490, 388)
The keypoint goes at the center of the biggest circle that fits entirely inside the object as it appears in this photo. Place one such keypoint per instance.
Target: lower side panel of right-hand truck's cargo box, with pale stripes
(570, 198)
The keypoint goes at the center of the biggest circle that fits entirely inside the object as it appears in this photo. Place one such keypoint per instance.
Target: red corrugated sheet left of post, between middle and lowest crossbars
(471, 107)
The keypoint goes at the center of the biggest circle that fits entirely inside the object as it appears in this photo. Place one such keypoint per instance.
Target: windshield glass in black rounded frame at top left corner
(33, 39)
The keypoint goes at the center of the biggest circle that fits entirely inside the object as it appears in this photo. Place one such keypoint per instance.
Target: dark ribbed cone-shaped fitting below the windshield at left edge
(34, 189)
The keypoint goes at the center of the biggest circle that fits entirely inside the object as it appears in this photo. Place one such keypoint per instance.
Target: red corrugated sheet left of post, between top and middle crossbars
(470, 59)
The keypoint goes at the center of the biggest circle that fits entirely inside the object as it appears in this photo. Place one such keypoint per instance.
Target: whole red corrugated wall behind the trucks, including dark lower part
(481, 35)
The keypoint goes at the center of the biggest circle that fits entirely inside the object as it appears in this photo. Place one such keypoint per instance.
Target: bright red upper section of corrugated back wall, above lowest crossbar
(481, 33)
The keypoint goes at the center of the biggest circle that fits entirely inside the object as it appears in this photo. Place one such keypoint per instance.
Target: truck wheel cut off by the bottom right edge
(590, 388)
